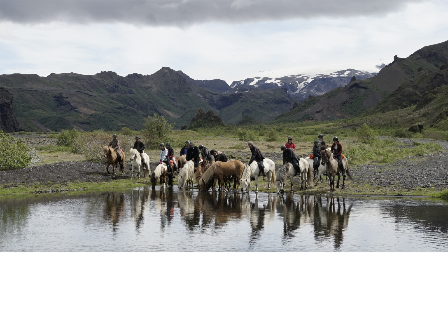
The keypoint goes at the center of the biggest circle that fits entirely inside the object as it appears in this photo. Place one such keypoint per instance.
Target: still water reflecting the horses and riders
(170, 221)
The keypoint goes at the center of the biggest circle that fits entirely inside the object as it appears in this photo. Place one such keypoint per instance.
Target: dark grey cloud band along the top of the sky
(188, 12)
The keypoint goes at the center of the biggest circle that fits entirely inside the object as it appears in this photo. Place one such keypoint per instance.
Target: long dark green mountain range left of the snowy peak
(110, 102)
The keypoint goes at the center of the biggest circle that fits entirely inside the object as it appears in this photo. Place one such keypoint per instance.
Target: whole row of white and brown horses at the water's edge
(242, 175)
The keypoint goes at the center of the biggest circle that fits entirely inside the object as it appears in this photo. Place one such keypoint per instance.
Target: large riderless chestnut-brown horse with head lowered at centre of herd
(220, 171)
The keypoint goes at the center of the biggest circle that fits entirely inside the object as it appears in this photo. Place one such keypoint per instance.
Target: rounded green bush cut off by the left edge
(14, 153)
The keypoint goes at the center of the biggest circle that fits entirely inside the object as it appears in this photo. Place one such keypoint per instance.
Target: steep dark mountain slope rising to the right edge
(406, 82)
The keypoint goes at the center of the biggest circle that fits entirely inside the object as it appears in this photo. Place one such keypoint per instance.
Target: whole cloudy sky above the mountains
(210, 39)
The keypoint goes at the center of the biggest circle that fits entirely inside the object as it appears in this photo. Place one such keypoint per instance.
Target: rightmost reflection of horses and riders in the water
(331, 221)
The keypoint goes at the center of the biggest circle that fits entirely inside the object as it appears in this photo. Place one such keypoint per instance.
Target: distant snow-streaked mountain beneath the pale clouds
(302, 86)
